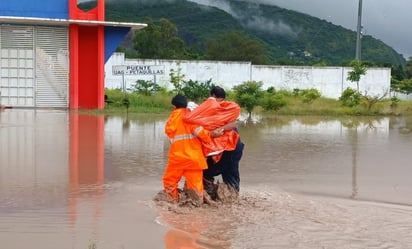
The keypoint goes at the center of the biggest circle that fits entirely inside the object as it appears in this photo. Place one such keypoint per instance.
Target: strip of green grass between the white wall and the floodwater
(129, 103)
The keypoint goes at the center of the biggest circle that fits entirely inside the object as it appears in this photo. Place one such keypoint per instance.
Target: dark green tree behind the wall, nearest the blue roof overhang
(159, 41)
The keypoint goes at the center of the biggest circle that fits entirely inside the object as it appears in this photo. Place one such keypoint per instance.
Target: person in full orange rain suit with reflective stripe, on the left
(185, 158)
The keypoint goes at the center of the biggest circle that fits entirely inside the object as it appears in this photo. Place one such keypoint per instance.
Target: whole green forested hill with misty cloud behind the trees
(287, 35)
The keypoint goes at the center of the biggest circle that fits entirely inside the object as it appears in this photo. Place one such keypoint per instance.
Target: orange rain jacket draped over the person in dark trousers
(212, 114)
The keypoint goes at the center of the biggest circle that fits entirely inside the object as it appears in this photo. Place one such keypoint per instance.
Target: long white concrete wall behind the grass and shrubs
(330, 81)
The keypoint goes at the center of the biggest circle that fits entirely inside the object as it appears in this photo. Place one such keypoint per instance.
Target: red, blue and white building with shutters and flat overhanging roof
(52, 53)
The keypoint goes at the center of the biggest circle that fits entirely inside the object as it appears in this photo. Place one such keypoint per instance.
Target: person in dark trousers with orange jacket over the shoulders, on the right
(218, 112)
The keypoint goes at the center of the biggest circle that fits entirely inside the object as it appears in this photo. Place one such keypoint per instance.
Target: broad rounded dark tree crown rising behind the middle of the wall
(236, 46)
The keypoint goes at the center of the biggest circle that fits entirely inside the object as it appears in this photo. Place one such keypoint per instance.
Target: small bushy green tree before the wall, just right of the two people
(248, 95)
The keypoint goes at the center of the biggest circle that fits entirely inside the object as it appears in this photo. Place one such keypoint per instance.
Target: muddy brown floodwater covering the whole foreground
(82, 181)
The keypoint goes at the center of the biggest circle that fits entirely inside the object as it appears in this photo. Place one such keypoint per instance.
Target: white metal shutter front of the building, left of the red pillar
(34, 69)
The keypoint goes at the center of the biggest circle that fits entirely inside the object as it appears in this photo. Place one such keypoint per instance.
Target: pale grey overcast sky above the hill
(387, 20)
